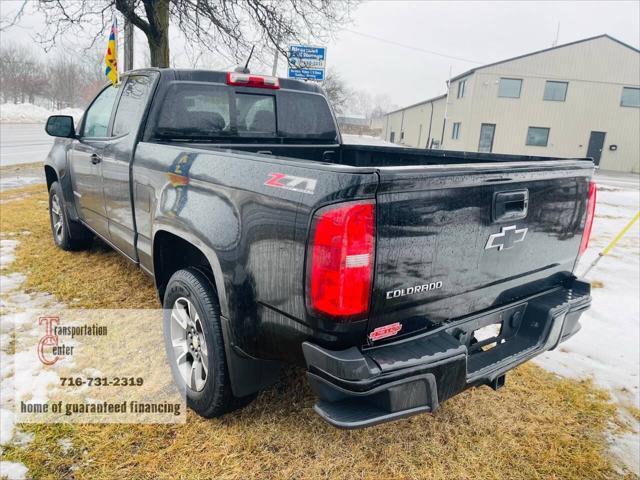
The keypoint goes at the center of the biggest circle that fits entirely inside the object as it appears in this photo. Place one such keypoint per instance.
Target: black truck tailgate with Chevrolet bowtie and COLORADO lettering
(458, 239)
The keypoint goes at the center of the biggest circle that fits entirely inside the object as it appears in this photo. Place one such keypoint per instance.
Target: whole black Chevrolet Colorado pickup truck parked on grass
(398, 277)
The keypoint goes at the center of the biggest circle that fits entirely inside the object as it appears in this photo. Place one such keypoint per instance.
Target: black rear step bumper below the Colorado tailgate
(359, 388)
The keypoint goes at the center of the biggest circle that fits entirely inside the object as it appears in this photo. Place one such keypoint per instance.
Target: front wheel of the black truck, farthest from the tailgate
(61, 226)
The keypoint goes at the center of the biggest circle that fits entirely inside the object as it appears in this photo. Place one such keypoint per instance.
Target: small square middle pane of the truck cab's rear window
(256, 114)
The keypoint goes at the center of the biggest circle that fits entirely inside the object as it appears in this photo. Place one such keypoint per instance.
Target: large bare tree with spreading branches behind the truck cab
(225, 27)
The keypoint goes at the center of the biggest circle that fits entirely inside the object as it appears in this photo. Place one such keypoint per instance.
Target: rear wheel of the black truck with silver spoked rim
(190, 291)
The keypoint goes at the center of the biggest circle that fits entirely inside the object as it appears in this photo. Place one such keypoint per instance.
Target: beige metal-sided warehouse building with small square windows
(581, 99)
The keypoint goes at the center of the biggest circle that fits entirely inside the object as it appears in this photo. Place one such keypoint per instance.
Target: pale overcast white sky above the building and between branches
(407, 49)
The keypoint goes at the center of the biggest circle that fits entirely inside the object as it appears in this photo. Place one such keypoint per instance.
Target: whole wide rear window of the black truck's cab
(213, 112)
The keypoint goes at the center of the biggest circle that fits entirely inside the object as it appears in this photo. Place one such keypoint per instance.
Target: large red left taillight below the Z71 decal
(340, 260)
